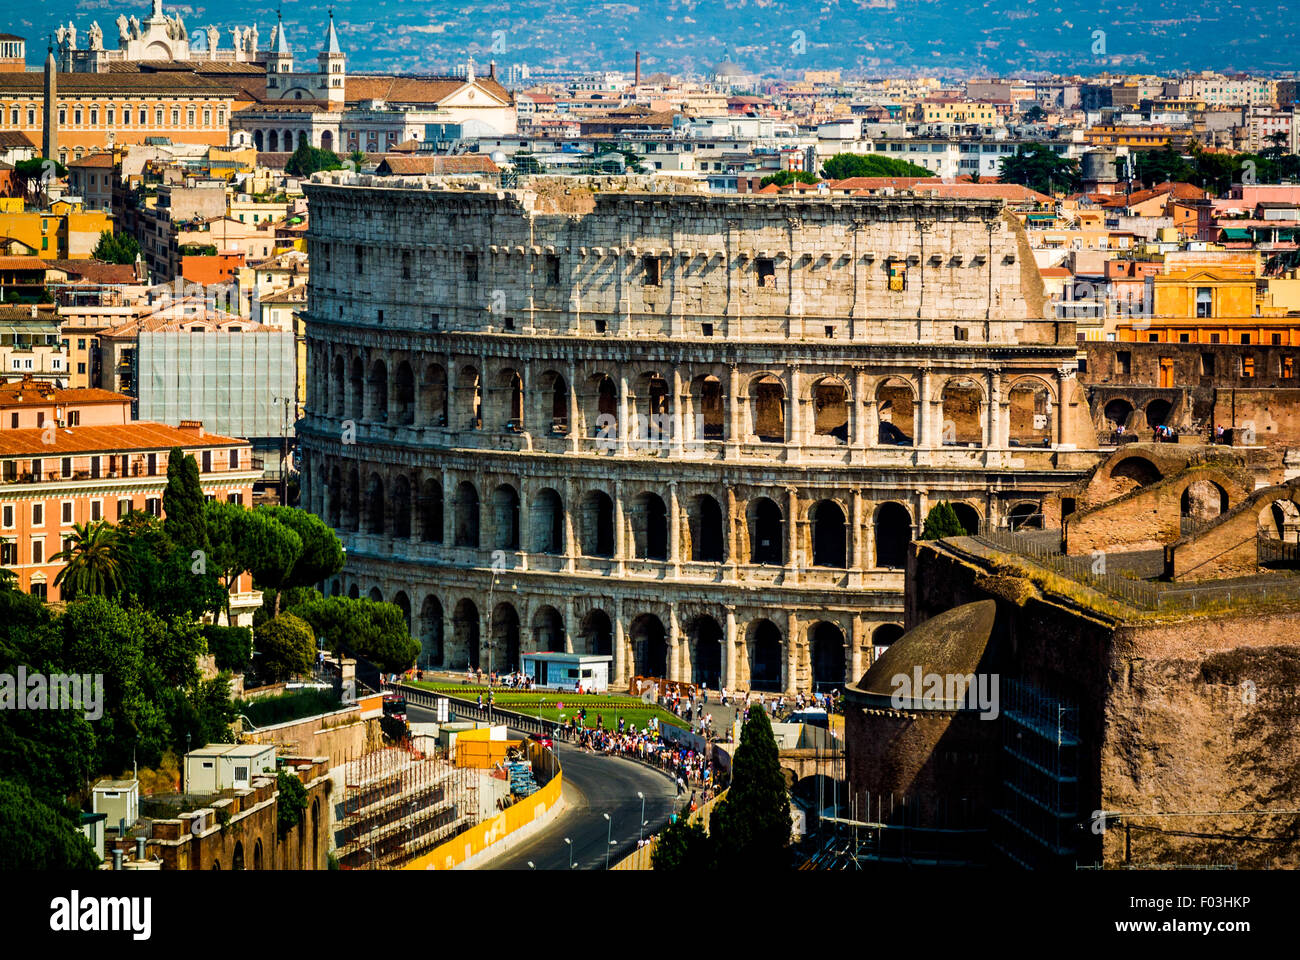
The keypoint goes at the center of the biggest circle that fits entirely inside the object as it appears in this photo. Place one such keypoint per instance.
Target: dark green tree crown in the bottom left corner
(40, 836)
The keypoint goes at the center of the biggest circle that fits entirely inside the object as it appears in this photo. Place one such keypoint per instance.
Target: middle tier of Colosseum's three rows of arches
(421, 509)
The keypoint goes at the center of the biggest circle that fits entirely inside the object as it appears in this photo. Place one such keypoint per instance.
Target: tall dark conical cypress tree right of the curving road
(752, 825)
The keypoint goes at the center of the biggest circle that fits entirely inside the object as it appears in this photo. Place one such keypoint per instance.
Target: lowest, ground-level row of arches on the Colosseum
(470, 637)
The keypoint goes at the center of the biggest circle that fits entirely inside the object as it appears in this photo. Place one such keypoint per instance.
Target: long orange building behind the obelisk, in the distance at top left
(129, 107)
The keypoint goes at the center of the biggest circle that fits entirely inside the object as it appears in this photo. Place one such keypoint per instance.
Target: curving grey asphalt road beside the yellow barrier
(596, 785)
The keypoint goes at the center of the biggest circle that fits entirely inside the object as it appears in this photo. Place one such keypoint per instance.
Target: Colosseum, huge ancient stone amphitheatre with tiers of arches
(691, 431)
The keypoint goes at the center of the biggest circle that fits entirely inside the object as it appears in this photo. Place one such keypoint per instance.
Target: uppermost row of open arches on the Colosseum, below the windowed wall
(643, 408)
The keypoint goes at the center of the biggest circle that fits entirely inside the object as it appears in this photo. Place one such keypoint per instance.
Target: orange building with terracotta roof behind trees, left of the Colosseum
(51, 479)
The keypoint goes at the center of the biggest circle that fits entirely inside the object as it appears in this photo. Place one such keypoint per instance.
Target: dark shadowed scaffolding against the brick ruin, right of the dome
(1037, 823)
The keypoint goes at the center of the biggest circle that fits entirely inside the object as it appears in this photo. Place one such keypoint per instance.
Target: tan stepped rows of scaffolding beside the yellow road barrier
(400, 803)
